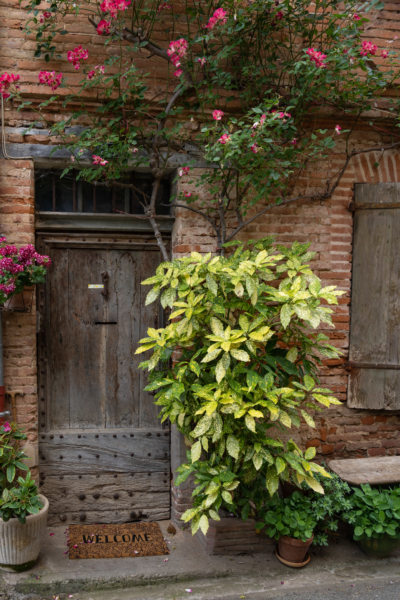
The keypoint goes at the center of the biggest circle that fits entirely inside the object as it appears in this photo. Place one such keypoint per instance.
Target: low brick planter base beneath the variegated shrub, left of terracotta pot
(231, 535)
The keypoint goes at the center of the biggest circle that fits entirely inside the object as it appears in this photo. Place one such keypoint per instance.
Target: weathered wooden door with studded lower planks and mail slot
(104, 457)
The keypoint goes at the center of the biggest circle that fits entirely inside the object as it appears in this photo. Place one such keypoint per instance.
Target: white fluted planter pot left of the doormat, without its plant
(20, 542)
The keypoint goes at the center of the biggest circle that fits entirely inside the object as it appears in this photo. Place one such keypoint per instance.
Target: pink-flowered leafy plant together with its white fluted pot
(23, 512)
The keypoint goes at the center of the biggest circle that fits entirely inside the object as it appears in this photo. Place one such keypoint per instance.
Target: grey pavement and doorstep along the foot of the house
(339, 572)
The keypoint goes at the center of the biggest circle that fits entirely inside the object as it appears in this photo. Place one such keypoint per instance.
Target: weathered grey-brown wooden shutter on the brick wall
(375, 302)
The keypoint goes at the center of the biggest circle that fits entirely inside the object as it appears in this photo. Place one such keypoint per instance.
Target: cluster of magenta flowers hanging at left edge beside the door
(19, 268)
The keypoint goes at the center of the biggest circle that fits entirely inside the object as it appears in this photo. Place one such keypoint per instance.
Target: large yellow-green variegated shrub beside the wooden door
(236, 369)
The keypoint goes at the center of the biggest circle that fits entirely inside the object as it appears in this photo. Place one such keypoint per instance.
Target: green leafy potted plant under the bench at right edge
(374, 514)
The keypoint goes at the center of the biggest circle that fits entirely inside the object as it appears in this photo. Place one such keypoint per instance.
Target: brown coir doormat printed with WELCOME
(116, 541)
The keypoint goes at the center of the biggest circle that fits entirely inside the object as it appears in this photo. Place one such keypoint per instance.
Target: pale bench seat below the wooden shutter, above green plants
(374, 470)
